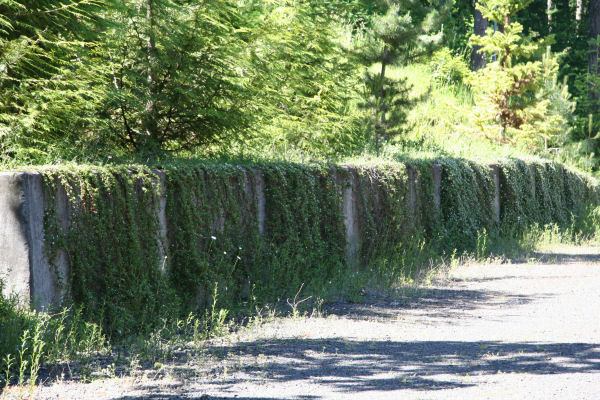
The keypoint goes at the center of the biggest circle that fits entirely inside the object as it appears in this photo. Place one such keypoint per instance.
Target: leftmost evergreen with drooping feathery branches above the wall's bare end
(44, 76)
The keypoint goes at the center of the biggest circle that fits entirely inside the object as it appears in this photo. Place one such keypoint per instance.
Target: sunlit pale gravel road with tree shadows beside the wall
(524, 331)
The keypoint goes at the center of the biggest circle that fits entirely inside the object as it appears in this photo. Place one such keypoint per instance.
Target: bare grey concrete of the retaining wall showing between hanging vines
(39, 278)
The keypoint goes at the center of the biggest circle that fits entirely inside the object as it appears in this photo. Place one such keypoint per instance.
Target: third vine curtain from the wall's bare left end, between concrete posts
(304, 240)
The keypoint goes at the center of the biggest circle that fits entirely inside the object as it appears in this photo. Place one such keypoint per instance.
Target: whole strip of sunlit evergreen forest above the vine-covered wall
(103, 81)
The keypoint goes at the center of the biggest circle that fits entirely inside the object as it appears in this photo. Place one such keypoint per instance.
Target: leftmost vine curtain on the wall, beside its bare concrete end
(111, 245)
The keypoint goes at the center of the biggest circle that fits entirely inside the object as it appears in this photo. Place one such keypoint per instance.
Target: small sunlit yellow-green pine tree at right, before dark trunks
(517, 93)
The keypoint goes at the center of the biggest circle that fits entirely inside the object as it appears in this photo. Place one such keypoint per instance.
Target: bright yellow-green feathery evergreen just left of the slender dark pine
(305, 81)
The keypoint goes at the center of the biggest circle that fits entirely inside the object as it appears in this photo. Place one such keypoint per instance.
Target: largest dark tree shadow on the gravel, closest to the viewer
(363, 366)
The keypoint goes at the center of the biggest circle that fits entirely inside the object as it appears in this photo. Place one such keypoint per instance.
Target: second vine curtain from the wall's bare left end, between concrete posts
(212, 236)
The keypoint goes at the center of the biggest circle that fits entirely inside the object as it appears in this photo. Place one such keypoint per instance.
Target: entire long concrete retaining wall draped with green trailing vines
(133, 245)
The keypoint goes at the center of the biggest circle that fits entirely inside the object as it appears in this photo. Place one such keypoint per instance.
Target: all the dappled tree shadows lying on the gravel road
(364, 366)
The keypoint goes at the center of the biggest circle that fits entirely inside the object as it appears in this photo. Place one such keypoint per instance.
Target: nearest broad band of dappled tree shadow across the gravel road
(342, 359)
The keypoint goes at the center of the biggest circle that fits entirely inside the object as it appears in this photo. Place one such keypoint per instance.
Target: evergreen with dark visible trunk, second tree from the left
(173, 74)
